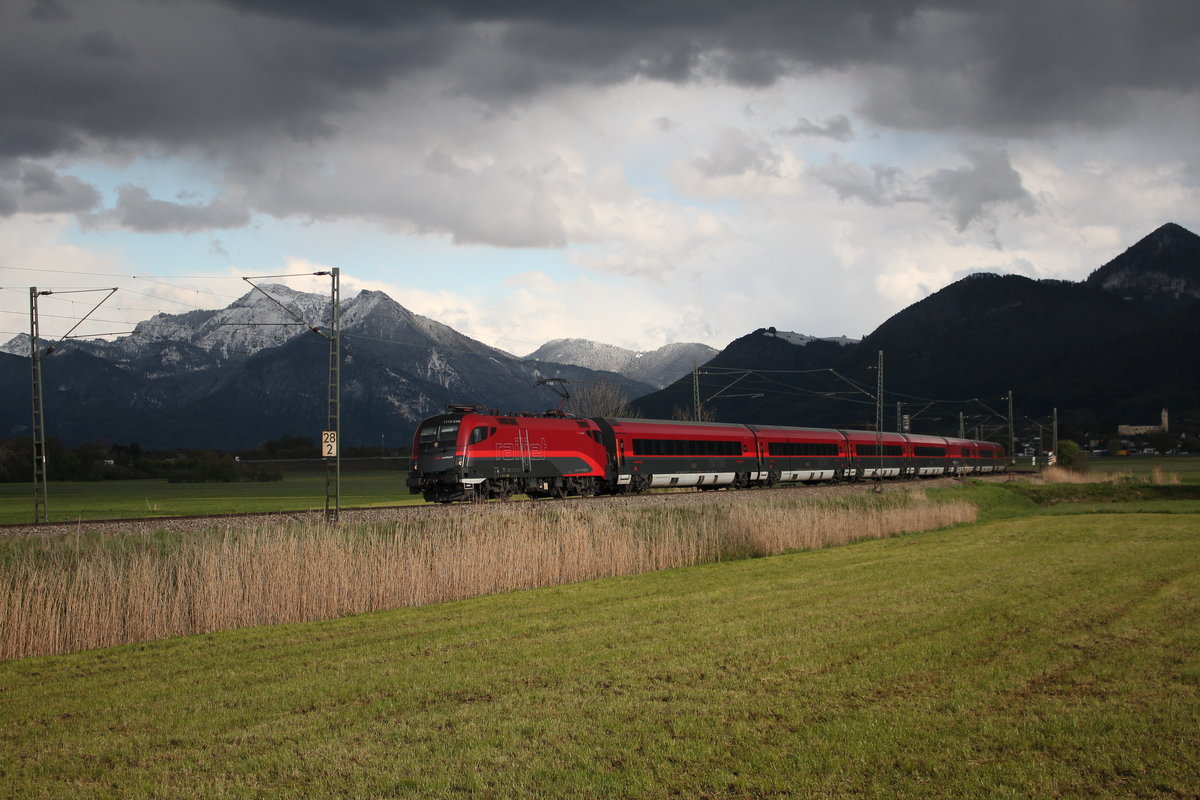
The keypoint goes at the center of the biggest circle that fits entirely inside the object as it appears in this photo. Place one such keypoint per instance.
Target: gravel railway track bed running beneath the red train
(385, 514)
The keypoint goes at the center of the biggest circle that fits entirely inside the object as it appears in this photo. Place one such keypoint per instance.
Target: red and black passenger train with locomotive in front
(478, 454)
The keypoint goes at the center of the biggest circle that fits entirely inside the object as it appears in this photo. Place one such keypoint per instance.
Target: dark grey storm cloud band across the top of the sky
(202, 74)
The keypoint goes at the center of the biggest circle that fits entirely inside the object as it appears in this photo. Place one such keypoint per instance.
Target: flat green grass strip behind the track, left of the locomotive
(299, 491)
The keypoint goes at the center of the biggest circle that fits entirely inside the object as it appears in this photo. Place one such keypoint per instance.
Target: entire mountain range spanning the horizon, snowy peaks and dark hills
(1119, 345)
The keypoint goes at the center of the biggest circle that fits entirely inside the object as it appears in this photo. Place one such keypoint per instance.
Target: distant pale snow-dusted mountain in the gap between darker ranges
(657, 368)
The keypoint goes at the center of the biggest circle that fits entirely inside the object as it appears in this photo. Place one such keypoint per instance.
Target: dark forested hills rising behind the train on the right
(1120, 346)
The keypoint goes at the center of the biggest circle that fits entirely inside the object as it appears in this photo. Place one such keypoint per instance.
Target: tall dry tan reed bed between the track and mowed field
(64, 593)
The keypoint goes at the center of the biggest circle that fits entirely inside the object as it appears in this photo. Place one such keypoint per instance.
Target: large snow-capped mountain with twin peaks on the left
(251, 372)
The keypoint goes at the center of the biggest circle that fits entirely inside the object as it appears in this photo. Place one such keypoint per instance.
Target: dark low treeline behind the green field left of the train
(103, 461)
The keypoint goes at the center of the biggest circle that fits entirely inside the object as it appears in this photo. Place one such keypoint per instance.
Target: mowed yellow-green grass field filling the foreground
(1022, 658)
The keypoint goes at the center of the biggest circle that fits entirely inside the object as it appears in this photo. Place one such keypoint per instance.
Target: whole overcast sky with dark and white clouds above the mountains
(635, 173)
